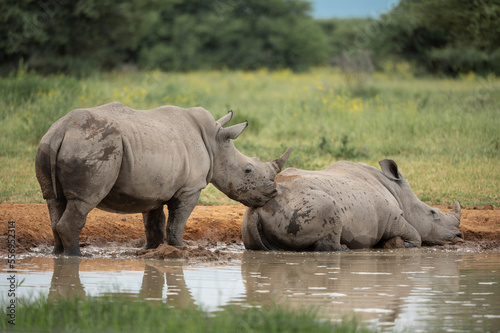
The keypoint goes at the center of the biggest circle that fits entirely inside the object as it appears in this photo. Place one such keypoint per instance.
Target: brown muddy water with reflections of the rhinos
(425, 289)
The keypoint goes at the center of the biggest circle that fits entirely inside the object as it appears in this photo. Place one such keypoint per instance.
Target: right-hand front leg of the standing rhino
(179, 210)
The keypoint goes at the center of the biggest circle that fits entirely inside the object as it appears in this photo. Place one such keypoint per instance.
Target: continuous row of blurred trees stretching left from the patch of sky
(84, 35)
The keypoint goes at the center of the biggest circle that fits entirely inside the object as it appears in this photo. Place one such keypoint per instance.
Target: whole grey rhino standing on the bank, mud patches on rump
(136, 161)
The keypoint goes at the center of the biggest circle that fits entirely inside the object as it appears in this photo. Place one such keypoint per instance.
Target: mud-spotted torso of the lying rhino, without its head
(310, 203)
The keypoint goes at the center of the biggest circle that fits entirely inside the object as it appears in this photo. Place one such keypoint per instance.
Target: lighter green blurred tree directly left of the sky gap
(235, 34)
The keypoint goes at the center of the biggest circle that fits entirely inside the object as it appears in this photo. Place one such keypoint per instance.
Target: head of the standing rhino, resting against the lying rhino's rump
(244, 179)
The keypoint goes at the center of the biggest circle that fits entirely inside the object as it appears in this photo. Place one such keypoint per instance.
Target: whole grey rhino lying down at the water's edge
(349, 205)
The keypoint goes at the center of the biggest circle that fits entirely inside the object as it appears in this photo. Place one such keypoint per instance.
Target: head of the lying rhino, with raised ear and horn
(434, 226)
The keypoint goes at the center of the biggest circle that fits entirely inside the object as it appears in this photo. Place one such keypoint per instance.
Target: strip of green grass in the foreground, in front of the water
(95, 314)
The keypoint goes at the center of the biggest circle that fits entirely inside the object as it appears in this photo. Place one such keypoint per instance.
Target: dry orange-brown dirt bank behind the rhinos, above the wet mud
(480, 226)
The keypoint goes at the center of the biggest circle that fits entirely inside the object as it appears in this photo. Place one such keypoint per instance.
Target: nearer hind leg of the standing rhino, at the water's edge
(71, 224)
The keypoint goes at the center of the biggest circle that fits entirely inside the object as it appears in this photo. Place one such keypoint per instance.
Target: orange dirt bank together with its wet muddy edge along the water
(213, 233)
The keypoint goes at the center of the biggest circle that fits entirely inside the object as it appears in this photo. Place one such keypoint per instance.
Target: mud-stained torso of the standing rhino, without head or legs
(144, 157)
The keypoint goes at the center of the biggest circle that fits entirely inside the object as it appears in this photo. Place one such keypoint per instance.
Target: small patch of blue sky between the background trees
(351, 8)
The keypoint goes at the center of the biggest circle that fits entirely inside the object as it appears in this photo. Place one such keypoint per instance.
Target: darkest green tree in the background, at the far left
(77, 36)
